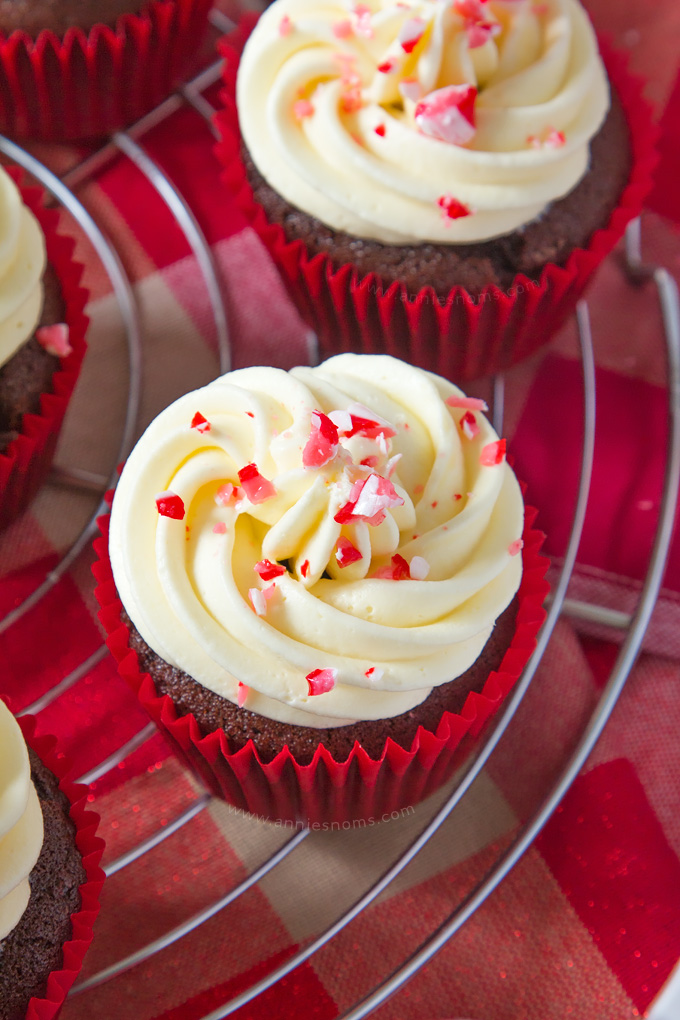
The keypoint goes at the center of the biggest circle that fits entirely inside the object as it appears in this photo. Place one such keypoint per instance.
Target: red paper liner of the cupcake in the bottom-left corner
(91, 848)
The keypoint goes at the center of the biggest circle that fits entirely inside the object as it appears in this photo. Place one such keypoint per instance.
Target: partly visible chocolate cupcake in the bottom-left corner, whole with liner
(49, 876)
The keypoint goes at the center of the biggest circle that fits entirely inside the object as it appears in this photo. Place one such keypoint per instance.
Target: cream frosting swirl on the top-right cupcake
(338, 137)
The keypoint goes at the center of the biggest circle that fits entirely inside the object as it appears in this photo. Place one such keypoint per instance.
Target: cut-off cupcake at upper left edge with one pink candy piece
(42, 339)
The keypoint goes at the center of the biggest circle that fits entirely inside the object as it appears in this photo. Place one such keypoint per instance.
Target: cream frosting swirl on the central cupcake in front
(185, 582)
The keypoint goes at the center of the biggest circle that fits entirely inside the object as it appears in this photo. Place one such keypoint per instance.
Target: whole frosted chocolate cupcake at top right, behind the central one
(436, 181)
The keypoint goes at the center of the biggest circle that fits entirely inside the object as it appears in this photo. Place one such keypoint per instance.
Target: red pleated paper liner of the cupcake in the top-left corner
(89, 84)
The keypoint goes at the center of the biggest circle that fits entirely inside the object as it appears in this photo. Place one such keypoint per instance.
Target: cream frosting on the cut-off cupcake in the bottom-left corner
(21, 824)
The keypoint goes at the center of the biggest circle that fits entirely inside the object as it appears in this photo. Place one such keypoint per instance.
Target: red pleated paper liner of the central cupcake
(329, 793)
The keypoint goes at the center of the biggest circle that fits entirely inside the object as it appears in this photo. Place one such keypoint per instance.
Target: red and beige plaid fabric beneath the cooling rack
(588, 926)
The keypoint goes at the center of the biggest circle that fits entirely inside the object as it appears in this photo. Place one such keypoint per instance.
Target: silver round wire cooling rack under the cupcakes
(131, 144)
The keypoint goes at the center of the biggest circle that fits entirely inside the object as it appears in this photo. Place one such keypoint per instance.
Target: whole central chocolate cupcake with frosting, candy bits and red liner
(322, 582)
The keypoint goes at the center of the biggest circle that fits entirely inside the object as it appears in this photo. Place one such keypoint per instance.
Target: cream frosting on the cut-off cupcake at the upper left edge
(23, 263)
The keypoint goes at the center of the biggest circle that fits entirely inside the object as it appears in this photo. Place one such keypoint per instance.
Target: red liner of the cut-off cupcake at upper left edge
(26, 462)
